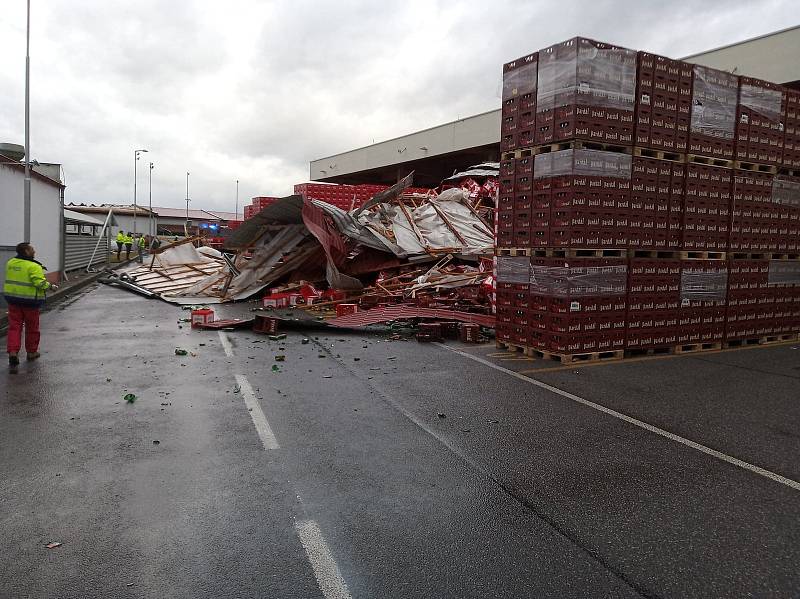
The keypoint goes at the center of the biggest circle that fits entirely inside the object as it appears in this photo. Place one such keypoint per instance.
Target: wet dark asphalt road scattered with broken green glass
(516, 492)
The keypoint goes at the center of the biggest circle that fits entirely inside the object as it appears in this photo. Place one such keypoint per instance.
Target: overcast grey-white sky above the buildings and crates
(253, 90)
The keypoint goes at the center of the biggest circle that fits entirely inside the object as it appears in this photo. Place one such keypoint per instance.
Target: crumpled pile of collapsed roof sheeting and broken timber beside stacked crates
(396, 245)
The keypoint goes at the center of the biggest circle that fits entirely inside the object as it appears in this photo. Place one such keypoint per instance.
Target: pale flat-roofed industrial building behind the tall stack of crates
(434, 153)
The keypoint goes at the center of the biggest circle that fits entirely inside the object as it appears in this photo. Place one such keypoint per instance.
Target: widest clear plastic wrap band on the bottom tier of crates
(579, 281)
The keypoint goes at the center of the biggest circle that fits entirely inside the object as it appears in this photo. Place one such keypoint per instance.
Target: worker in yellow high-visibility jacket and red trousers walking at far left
(24, 290)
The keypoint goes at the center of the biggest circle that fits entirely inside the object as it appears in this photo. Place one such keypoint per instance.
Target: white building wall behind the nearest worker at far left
(45, 218)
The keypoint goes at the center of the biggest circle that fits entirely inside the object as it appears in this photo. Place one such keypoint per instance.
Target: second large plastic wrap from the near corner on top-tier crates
(714, 103)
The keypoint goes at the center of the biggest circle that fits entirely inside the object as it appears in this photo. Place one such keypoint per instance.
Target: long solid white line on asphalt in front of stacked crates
(649, 427)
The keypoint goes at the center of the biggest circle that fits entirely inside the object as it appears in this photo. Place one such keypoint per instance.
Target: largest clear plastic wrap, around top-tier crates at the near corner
(586, 72)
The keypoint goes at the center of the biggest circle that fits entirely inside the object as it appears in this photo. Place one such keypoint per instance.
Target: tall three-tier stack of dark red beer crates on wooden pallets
(645, 203)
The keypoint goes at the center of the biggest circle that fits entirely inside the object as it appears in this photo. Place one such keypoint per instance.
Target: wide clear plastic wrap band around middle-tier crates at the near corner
(592, 163)
